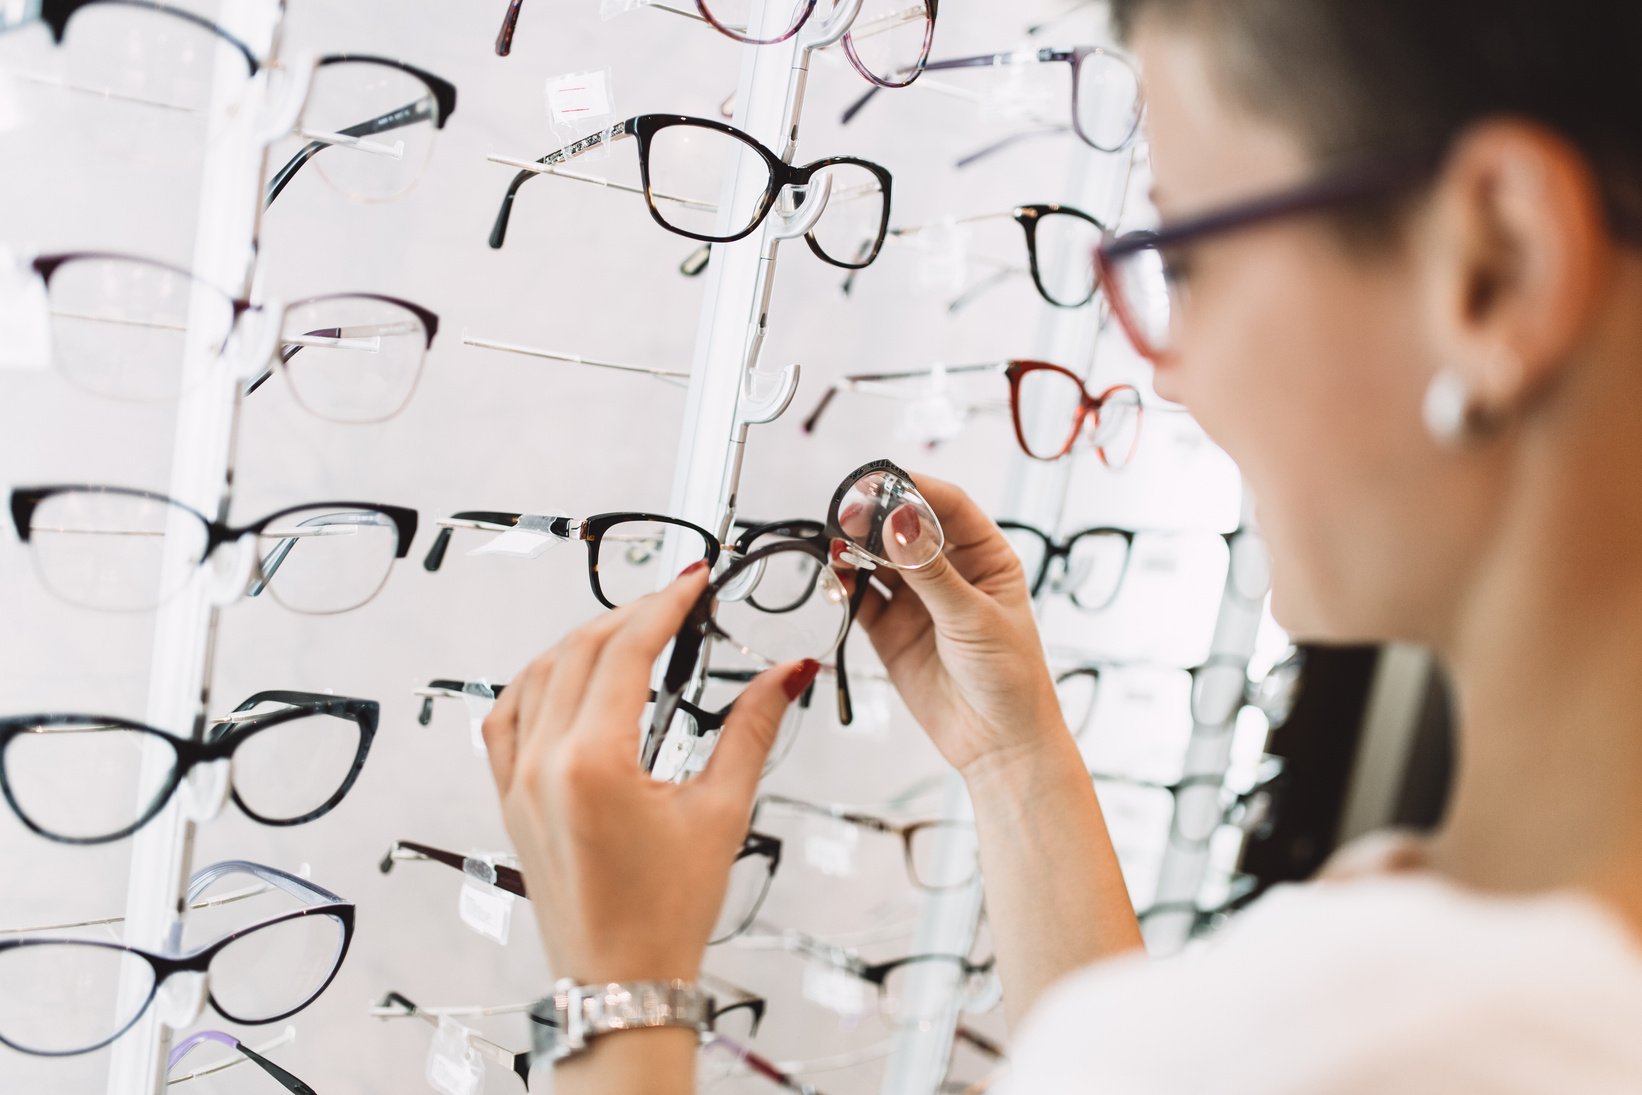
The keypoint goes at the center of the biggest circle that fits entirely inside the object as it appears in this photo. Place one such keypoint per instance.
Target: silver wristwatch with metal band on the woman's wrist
(564, 1024)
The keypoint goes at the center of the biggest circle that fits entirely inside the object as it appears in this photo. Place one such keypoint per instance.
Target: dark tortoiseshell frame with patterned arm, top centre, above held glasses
(782, 176)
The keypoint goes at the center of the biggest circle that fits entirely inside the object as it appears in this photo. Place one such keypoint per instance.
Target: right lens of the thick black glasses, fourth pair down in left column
(291, 769)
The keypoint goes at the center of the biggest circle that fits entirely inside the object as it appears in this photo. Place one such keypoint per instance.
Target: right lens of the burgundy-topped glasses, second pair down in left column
(352, 359)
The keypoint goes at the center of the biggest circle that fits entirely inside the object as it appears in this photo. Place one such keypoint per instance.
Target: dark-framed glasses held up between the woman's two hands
(878, 520)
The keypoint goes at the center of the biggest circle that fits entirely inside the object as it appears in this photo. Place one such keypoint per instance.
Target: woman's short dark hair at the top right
(1377, 78)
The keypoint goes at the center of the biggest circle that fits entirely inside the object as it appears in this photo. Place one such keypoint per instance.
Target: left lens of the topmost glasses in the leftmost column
(142, 78)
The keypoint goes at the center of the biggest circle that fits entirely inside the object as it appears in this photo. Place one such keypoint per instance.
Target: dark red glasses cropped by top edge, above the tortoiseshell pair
(889, 40)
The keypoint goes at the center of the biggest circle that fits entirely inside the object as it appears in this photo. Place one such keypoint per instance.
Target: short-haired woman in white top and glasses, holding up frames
(1420, 336)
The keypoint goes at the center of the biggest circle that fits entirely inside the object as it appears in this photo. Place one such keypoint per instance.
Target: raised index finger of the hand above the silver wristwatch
(620, 684)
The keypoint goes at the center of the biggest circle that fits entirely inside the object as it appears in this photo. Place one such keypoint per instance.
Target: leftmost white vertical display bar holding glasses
(203, 475)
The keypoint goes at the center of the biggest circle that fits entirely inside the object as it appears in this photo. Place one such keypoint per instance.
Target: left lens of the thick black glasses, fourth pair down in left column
(88, 781)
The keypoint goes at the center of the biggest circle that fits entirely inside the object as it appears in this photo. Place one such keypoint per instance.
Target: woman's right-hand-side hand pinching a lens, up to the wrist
(961, 646)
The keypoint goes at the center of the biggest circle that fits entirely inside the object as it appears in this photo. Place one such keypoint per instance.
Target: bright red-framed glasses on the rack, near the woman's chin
(1050, 406)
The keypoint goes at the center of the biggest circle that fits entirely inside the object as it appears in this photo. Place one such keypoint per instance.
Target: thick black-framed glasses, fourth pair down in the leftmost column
(91, 779)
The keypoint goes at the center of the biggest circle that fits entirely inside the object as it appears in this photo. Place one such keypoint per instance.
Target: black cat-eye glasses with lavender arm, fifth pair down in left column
(94, 992)
